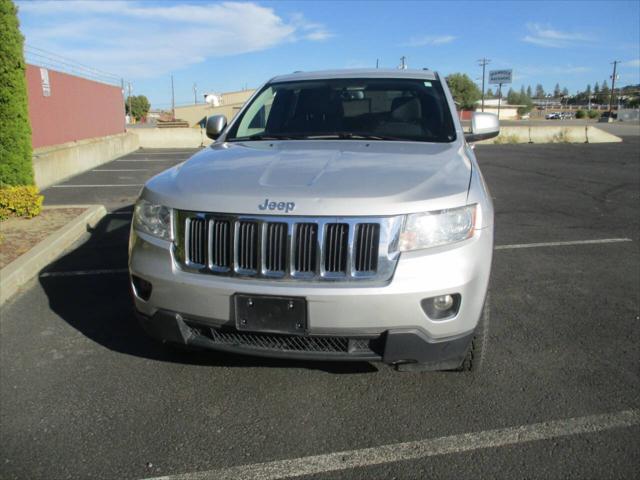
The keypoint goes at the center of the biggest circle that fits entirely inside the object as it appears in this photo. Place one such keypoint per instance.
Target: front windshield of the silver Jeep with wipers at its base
(374, 109)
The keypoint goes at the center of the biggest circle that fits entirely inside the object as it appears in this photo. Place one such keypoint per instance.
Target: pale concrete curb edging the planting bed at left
(28, 265)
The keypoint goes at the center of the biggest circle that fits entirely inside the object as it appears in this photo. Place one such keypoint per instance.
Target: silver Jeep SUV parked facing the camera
(341, 215)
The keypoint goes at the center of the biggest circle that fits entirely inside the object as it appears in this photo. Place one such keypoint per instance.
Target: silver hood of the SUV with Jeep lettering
(323, 177)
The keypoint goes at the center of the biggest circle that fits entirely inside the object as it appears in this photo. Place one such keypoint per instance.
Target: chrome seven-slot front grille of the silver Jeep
(287, 248)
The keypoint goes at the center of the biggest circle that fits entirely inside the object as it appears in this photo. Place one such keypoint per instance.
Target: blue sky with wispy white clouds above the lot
(229, 46)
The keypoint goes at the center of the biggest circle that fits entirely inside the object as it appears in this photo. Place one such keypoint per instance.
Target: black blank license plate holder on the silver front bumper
(270, 314)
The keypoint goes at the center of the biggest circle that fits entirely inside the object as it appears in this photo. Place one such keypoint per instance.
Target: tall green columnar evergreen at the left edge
(15, 131)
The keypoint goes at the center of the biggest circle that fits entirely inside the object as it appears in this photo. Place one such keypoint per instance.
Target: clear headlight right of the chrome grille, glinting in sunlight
(430, 229)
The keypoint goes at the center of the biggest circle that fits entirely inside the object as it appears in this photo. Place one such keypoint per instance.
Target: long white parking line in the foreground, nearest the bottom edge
(332, 462)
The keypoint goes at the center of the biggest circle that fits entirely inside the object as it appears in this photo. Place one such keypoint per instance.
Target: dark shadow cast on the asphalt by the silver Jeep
(100, 307)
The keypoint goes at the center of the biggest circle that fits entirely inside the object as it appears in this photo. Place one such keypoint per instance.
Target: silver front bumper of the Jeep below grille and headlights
(381, 313)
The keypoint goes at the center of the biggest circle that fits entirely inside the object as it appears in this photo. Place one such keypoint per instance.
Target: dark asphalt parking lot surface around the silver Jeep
(85, 394)
